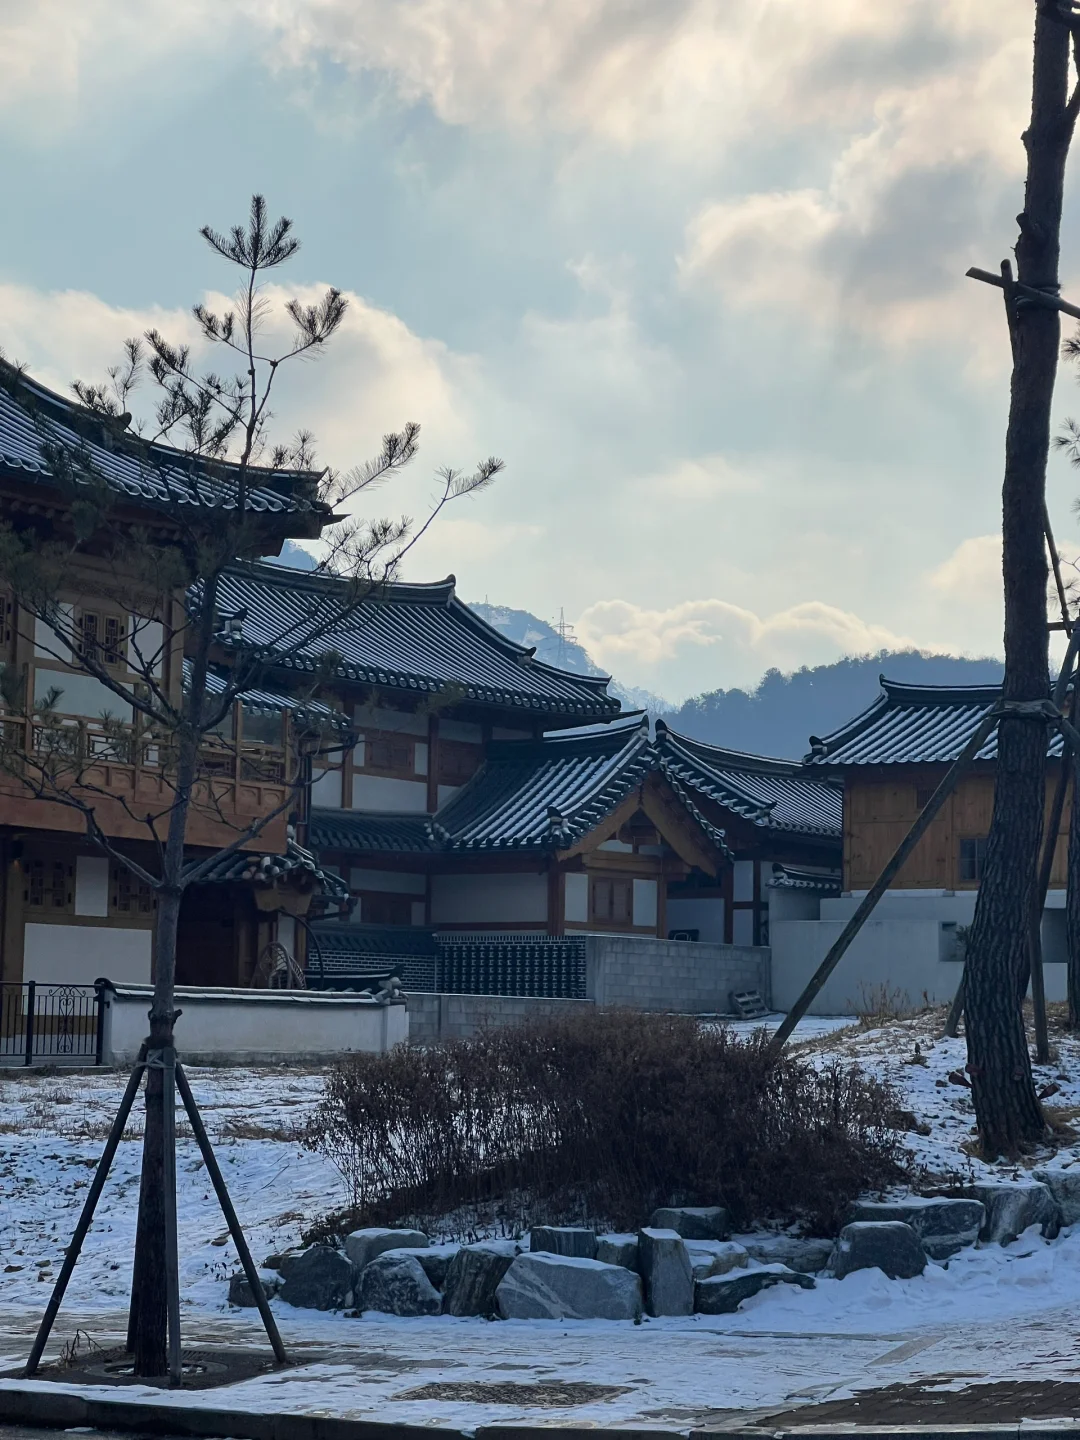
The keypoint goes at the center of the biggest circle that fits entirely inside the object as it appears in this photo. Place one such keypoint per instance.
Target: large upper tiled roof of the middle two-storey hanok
(407, 637)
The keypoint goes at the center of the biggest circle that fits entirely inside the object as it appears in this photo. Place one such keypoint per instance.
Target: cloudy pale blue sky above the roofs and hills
(693, 269)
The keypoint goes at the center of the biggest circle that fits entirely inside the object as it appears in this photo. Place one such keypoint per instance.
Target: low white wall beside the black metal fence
(254, 1027)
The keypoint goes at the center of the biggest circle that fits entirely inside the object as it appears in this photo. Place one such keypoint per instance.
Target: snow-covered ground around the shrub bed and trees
(994, 1313)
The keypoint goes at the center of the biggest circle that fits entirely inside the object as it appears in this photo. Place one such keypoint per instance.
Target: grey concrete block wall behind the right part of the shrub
(689, 977)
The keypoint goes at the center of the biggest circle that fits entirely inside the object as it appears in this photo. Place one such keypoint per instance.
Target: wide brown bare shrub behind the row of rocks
(604, 1117)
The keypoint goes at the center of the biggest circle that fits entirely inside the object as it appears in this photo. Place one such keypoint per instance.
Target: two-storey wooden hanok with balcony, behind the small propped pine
(68, 914)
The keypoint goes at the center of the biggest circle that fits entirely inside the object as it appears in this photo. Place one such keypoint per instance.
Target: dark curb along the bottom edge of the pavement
(60, 1410)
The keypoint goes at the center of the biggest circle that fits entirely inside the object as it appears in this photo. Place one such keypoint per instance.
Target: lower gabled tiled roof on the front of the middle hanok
(528, 796)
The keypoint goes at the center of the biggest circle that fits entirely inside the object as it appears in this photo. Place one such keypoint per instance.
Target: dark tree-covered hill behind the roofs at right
(784, 711)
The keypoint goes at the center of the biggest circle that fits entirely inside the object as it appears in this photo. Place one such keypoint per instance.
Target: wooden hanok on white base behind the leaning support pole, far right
(889, 761)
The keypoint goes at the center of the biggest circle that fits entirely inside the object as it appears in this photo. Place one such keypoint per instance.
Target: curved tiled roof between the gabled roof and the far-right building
(773, 794)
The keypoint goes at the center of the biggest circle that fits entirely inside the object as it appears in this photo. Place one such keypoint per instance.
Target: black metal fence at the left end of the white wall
(42, 1023)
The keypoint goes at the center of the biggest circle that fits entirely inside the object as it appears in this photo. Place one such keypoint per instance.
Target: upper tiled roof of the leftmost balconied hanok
(155, 476)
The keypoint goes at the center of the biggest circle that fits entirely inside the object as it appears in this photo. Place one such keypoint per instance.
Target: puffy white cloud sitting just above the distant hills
(703, 644)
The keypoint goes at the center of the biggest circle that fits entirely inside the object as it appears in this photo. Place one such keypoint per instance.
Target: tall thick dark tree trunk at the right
(1000, 1066)
